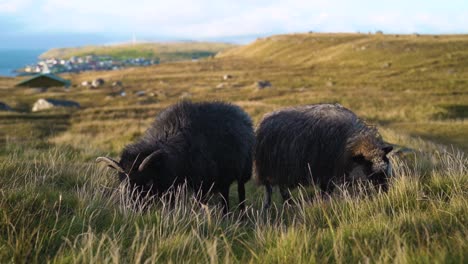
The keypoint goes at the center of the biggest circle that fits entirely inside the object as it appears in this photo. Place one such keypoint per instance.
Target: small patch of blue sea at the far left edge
(12, 59)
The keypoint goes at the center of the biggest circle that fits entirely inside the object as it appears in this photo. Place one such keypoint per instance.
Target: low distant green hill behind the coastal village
(164, 51)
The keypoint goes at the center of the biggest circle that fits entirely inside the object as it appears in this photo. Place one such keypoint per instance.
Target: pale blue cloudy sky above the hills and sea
(56, 23)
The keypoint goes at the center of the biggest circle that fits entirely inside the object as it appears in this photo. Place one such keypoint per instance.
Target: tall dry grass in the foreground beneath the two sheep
(56, 208)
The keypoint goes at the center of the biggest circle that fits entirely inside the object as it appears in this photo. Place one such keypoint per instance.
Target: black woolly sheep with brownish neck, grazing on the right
(321, 144)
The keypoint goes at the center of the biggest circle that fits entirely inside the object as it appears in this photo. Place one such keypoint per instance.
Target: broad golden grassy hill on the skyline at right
(354, 49)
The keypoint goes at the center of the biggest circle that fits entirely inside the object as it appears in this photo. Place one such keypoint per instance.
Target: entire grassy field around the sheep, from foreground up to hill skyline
(56, 205)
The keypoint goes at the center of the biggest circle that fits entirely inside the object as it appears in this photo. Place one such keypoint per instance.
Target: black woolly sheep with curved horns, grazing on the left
(207, 145)
